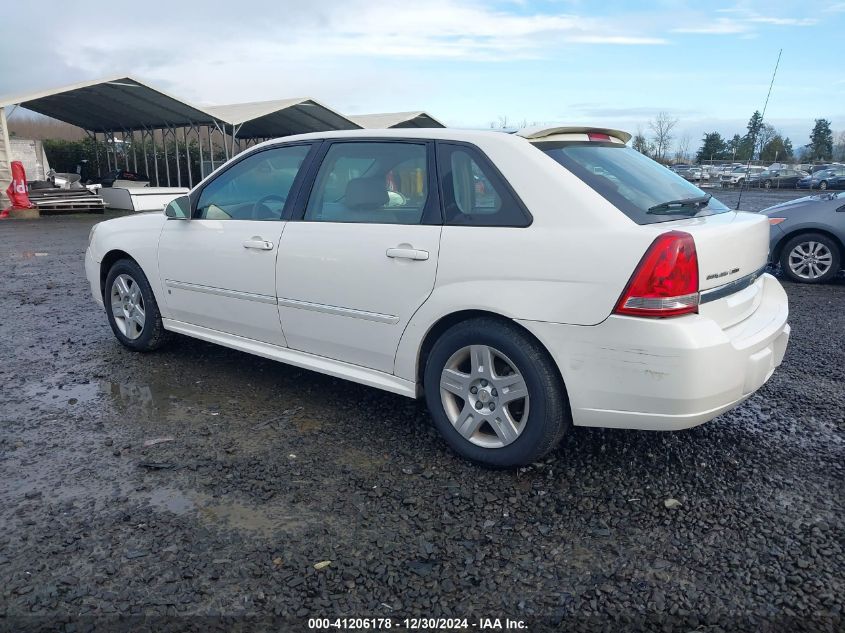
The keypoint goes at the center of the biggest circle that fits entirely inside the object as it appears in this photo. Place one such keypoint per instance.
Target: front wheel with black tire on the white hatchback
(131, 308)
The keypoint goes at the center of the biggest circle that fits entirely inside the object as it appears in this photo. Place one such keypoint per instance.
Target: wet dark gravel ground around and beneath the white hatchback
(270, 470)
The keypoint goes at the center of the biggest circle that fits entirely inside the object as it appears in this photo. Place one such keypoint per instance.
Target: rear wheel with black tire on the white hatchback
(519, 430)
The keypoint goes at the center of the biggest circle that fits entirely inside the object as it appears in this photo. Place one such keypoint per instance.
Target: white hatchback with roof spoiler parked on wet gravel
(520, 282)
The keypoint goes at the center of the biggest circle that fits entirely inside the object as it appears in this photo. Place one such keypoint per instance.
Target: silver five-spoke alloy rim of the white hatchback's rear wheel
(485, 396)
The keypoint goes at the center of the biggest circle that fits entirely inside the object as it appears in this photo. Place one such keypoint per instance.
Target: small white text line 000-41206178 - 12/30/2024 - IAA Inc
(415, 624)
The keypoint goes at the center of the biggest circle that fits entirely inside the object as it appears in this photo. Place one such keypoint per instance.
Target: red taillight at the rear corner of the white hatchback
(665, 282)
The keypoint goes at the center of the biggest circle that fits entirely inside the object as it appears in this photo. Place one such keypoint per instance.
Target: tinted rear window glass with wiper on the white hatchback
(635, 184)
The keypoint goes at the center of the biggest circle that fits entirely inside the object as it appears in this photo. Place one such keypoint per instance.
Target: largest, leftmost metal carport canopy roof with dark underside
(117, 103)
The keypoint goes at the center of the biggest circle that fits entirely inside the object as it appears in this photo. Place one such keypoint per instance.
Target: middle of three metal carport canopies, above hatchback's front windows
(282, 117)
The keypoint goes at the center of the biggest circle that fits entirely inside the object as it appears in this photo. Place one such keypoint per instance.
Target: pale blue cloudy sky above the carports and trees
(467, 62)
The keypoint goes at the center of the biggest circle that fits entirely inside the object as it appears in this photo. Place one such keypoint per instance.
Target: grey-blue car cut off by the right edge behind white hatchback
(808, 236)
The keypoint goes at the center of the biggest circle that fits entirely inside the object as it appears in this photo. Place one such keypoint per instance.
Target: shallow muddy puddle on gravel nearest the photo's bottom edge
(262, 520)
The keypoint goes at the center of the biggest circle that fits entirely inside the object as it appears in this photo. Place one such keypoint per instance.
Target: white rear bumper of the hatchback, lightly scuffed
(667, 374)
